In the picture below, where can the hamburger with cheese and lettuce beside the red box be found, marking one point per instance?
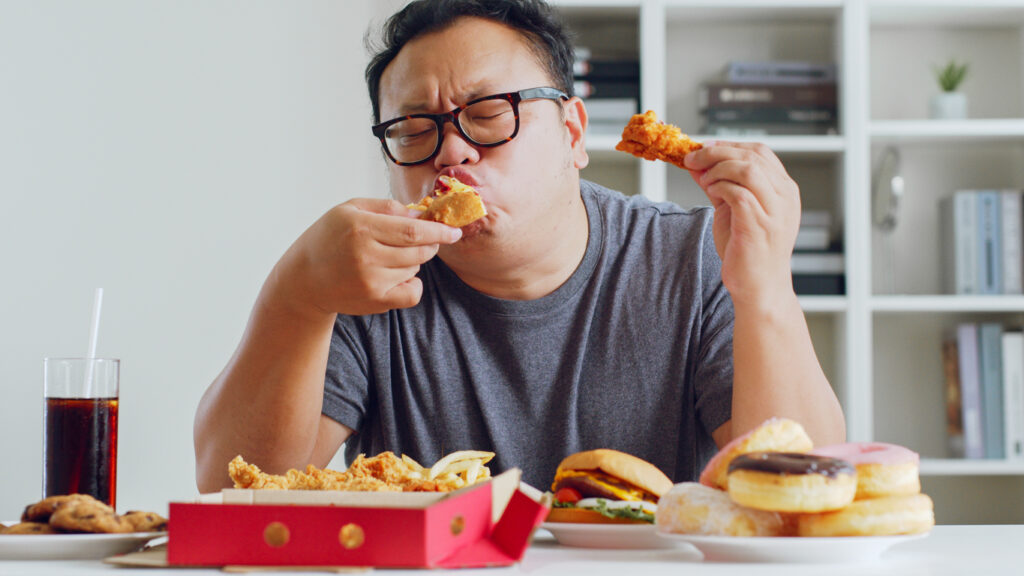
(607, 487)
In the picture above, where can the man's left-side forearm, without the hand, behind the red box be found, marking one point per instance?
(266, 404)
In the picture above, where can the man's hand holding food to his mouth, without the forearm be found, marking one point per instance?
(361, 258)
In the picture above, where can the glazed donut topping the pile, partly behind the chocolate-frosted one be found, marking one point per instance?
(776, 435)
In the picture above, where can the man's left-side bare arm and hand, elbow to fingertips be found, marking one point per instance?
(361, 258)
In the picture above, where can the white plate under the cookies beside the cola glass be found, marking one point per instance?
(72, 547)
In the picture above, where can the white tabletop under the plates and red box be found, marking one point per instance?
(949, 550)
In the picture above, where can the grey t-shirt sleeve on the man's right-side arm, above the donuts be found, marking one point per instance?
(714, 369)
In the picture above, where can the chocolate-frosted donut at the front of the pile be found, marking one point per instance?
(791, 482)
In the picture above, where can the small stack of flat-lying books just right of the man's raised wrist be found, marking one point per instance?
(819, 265)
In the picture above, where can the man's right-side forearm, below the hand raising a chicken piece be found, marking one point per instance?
(777, 374)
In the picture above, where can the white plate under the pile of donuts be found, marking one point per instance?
(791, 550)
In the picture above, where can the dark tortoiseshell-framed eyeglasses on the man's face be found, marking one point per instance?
(488, 122)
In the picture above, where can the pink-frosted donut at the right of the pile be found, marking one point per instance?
(883, 470)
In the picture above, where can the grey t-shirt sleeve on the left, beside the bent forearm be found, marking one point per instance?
(347, 385)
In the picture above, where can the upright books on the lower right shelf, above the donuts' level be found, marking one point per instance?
(984, 365)
